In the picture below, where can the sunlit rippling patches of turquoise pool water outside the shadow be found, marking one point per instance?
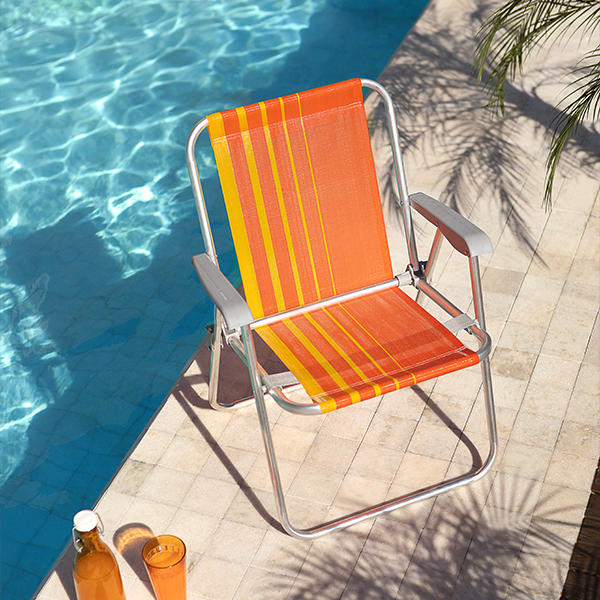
(97, 100)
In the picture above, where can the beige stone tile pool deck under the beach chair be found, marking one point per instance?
(202, 475)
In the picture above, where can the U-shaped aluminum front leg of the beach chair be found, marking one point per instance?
(372, 511)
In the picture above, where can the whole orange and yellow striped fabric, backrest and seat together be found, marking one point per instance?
(303, 203)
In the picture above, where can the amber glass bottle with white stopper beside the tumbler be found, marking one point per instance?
(95, 570)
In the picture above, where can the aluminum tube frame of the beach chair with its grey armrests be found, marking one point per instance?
(234, 324)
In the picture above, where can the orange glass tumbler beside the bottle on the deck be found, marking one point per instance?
(164, 557)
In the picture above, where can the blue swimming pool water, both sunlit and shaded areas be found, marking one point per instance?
(100, 308)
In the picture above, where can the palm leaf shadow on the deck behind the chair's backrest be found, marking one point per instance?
(441, 113)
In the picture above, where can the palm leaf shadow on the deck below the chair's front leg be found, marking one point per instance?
(462, 552)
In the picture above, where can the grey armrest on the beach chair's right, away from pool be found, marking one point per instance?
(465, 237)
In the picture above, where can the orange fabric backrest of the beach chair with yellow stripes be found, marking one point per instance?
(302, 197)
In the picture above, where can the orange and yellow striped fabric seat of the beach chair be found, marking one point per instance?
(365, 347)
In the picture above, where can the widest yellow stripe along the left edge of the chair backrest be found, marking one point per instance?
(236, 220)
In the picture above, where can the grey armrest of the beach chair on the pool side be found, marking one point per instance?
(227, 299)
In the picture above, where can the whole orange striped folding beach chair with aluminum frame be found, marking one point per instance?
(301, 193)
